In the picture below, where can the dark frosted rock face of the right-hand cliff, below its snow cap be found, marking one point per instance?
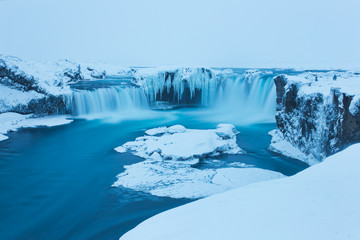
(318, 125)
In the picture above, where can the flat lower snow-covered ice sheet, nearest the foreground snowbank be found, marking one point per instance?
(178, 179)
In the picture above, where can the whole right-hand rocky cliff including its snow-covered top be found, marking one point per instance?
(319, 113)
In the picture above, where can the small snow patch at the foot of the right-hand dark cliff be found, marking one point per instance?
(282, 146)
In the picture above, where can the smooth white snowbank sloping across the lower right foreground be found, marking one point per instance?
(321, 202)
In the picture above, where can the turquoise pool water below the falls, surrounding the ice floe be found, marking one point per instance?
(55, 183)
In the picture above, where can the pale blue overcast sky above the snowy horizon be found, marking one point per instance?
(324, 33)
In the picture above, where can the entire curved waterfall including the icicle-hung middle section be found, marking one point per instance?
(249, 96)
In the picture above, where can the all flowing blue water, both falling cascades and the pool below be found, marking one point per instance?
(56, 182)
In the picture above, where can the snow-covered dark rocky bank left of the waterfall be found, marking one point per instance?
(40, 87)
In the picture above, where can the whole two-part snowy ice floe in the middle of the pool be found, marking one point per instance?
(173, 156)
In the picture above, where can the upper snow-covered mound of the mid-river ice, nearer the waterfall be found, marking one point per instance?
(176, 142)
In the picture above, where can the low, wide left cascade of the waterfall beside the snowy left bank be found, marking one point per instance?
(105, 100)
